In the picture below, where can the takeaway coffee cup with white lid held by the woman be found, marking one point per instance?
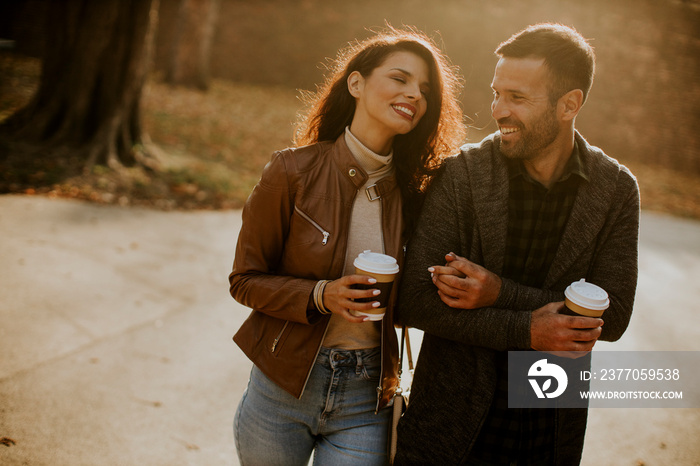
(384, 269)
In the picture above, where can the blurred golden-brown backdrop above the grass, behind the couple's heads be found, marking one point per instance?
(644, 103)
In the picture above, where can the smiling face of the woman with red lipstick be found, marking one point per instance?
(390, 101)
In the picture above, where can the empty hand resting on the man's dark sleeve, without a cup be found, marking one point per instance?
(463, 284)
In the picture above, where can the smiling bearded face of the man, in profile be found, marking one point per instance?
(526, 119)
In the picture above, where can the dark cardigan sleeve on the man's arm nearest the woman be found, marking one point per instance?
(447, 224)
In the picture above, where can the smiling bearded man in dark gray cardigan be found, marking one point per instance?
(515, 219)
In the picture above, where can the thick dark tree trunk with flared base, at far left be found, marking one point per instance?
(93, 70)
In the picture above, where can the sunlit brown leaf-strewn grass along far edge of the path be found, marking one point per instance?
(213, 146)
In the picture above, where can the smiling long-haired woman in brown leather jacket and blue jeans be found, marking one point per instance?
(373, 136)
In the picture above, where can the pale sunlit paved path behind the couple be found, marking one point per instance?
(116, 324)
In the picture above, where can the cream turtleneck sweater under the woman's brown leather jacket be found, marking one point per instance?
(365, 233)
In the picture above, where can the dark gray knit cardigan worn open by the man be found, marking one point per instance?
(466, 212)
